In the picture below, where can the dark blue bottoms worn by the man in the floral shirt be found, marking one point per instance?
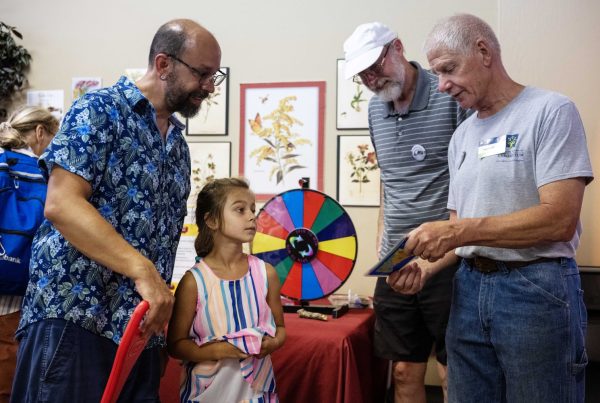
(59, 361)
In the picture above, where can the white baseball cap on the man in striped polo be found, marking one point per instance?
(364, 46)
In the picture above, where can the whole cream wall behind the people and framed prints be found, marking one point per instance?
(550, 43)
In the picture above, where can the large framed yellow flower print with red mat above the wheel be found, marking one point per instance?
(281, 135)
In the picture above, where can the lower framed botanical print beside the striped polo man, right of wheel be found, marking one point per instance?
(358, 176)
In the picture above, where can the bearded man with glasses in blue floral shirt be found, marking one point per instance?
(119, 173)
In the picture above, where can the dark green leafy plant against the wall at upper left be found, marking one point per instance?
(14, 64)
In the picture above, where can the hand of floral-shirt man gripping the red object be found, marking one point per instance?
(153, 289)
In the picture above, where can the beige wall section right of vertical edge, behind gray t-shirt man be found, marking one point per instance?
(554, 44)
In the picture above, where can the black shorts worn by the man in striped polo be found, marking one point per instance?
(407, 326)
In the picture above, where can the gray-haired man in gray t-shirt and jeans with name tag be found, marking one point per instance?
(518, 170)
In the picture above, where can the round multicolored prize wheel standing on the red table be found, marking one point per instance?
(310, 240)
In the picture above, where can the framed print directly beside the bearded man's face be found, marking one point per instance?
(213, 117)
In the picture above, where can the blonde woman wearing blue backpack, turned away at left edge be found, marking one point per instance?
(27, 132)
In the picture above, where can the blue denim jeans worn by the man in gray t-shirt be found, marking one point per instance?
(517, 335)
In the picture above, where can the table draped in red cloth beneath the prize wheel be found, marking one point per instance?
(322, 362)
